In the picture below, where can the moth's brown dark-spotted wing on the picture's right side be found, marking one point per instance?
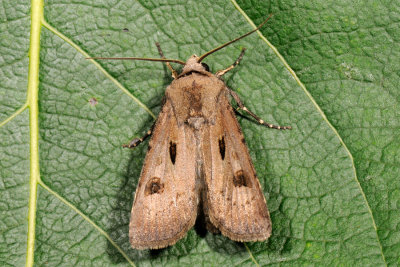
(234, 201)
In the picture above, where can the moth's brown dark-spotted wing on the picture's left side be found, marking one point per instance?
(166, 200)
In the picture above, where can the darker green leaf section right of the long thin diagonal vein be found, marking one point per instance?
(347, 55)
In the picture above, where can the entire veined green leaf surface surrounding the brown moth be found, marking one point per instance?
(330, 183)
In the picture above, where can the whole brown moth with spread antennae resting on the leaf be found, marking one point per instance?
(197, 158)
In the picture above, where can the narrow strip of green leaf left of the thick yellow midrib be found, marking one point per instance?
(14, 132)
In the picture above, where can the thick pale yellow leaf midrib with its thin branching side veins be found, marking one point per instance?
(37, 21)
